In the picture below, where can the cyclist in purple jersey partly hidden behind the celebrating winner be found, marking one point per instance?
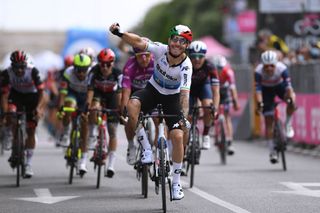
(136, 73)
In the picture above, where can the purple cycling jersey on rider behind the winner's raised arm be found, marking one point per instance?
(134, 76)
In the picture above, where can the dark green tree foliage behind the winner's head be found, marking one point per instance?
(204, 17)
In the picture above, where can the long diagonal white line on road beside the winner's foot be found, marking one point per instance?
(214, 199)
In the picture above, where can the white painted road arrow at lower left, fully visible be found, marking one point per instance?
(45, 196)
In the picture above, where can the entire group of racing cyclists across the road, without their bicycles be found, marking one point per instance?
(175, 74)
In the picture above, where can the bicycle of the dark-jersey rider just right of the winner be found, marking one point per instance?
(193, 152)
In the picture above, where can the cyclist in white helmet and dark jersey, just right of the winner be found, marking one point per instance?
(204, 86)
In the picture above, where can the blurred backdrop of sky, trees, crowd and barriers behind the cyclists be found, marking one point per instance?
(238, 29)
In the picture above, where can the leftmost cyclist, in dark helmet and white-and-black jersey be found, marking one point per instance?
(22, 87)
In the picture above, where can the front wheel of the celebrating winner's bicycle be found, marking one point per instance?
(162, 168)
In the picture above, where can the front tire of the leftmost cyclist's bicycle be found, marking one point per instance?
(20, 156)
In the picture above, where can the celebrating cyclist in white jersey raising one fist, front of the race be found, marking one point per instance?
(169, 86)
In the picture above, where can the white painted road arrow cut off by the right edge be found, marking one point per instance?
(301, 189)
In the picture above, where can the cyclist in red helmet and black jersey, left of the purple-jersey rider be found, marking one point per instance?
(104, 90)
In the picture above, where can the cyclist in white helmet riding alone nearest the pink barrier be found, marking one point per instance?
(272, 79)
